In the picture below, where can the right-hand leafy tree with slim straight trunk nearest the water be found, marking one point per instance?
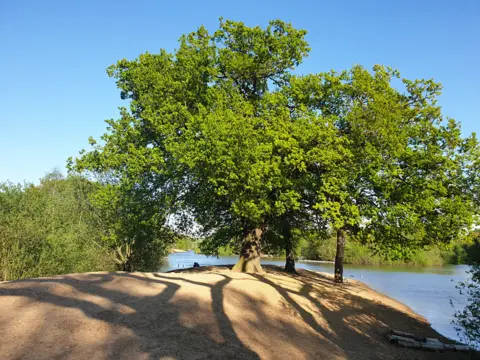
(405, 176)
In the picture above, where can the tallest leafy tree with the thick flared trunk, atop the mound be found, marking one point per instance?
(212, 120)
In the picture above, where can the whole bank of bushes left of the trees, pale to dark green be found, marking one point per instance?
(58, 227)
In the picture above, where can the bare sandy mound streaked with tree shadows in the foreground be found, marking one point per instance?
(205, 313)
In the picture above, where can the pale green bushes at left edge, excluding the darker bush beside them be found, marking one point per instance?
(49, 229)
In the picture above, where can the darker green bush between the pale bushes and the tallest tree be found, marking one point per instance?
(133, 225)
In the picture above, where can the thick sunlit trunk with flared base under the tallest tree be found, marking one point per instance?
(249, 260)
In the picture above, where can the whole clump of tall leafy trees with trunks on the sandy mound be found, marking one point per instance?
(224, 130)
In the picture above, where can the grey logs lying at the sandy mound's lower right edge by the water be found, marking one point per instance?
(417, 342)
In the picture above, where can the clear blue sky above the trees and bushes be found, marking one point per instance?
(55, 93)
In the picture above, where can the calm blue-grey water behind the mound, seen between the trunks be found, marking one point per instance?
(427, 291)
